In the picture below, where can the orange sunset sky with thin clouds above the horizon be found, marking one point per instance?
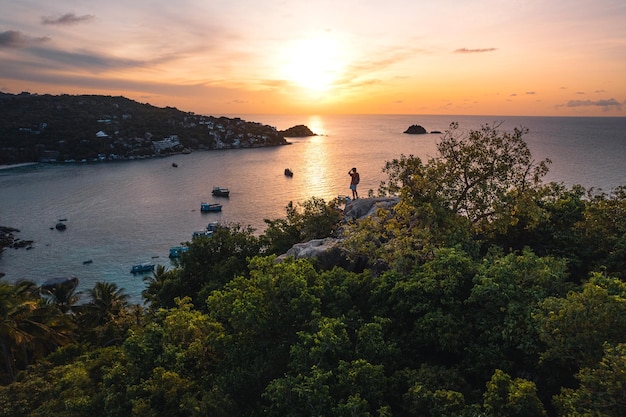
(238, 57)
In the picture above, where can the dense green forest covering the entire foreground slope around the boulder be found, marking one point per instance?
(483, 292)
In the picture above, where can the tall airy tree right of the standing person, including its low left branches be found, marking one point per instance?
(479, 175)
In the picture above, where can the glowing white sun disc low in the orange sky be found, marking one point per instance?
(315, 64)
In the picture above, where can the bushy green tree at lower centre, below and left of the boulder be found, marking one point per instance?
(261, 315)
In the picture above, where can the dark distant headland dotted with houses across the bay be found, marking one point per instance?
(91, 128)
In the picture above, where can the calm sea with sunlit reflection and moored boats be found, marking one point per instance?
(119, 214)
